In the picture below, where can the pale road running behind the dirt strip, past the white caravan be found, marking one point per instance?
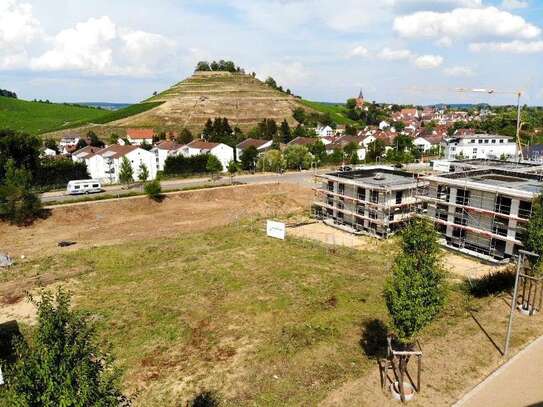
(304, 178)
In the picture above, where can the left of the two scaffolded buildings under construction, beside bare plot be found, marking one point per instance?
(373, 200)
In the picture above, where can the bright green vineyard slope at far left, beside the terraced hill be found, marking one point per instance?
(36, 117)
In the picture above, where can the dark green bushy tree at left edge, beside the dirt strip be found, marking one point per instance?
(18, 203)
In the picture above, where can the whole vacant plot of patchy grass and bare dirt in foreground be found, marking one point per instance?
(193, 296)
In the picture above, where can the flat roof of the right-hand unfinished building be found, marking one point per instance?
(496, 180)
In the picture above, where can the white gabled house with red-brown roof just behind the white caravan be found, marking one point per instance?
(105, 164)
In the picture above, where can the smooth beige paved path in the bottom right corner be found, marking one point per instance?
(517, 383)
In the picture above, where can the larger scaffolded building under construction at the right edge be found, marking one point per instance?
(482, 212)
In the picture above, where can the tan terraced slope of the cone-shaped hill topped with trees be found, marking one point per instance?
(244, 100)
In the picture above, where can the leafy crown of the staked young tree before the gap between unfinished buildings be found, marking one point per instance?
(415, 292)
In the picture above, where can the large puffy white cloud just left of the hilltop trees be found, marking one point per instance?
(98, 46)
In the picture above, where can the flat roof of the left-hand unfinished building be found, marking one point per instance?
(377, 177)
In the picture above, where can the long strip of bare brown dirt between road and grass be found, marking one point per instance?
(105, 223)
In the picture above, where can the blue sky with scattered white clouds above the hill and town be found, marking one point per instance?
(397, 51)
